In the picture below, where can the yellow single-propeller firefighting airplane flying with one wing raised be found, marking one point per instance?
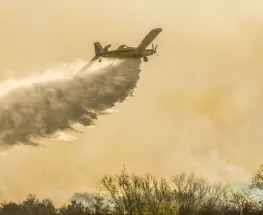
(124, 51)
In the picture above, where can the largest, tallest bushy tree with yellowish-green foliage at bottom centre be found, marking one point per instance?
(134, 194)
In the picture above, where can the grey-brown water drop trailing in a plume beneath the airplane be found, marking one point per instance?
(63, 97)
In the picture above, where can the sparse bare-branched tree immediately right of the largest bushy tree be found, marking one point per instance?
(194, 195)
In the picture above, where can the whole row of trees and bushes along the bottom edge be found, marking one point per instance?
(131, 194)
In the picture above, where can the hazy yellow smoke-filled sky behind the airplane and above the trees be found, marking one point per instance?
(198, 106)
